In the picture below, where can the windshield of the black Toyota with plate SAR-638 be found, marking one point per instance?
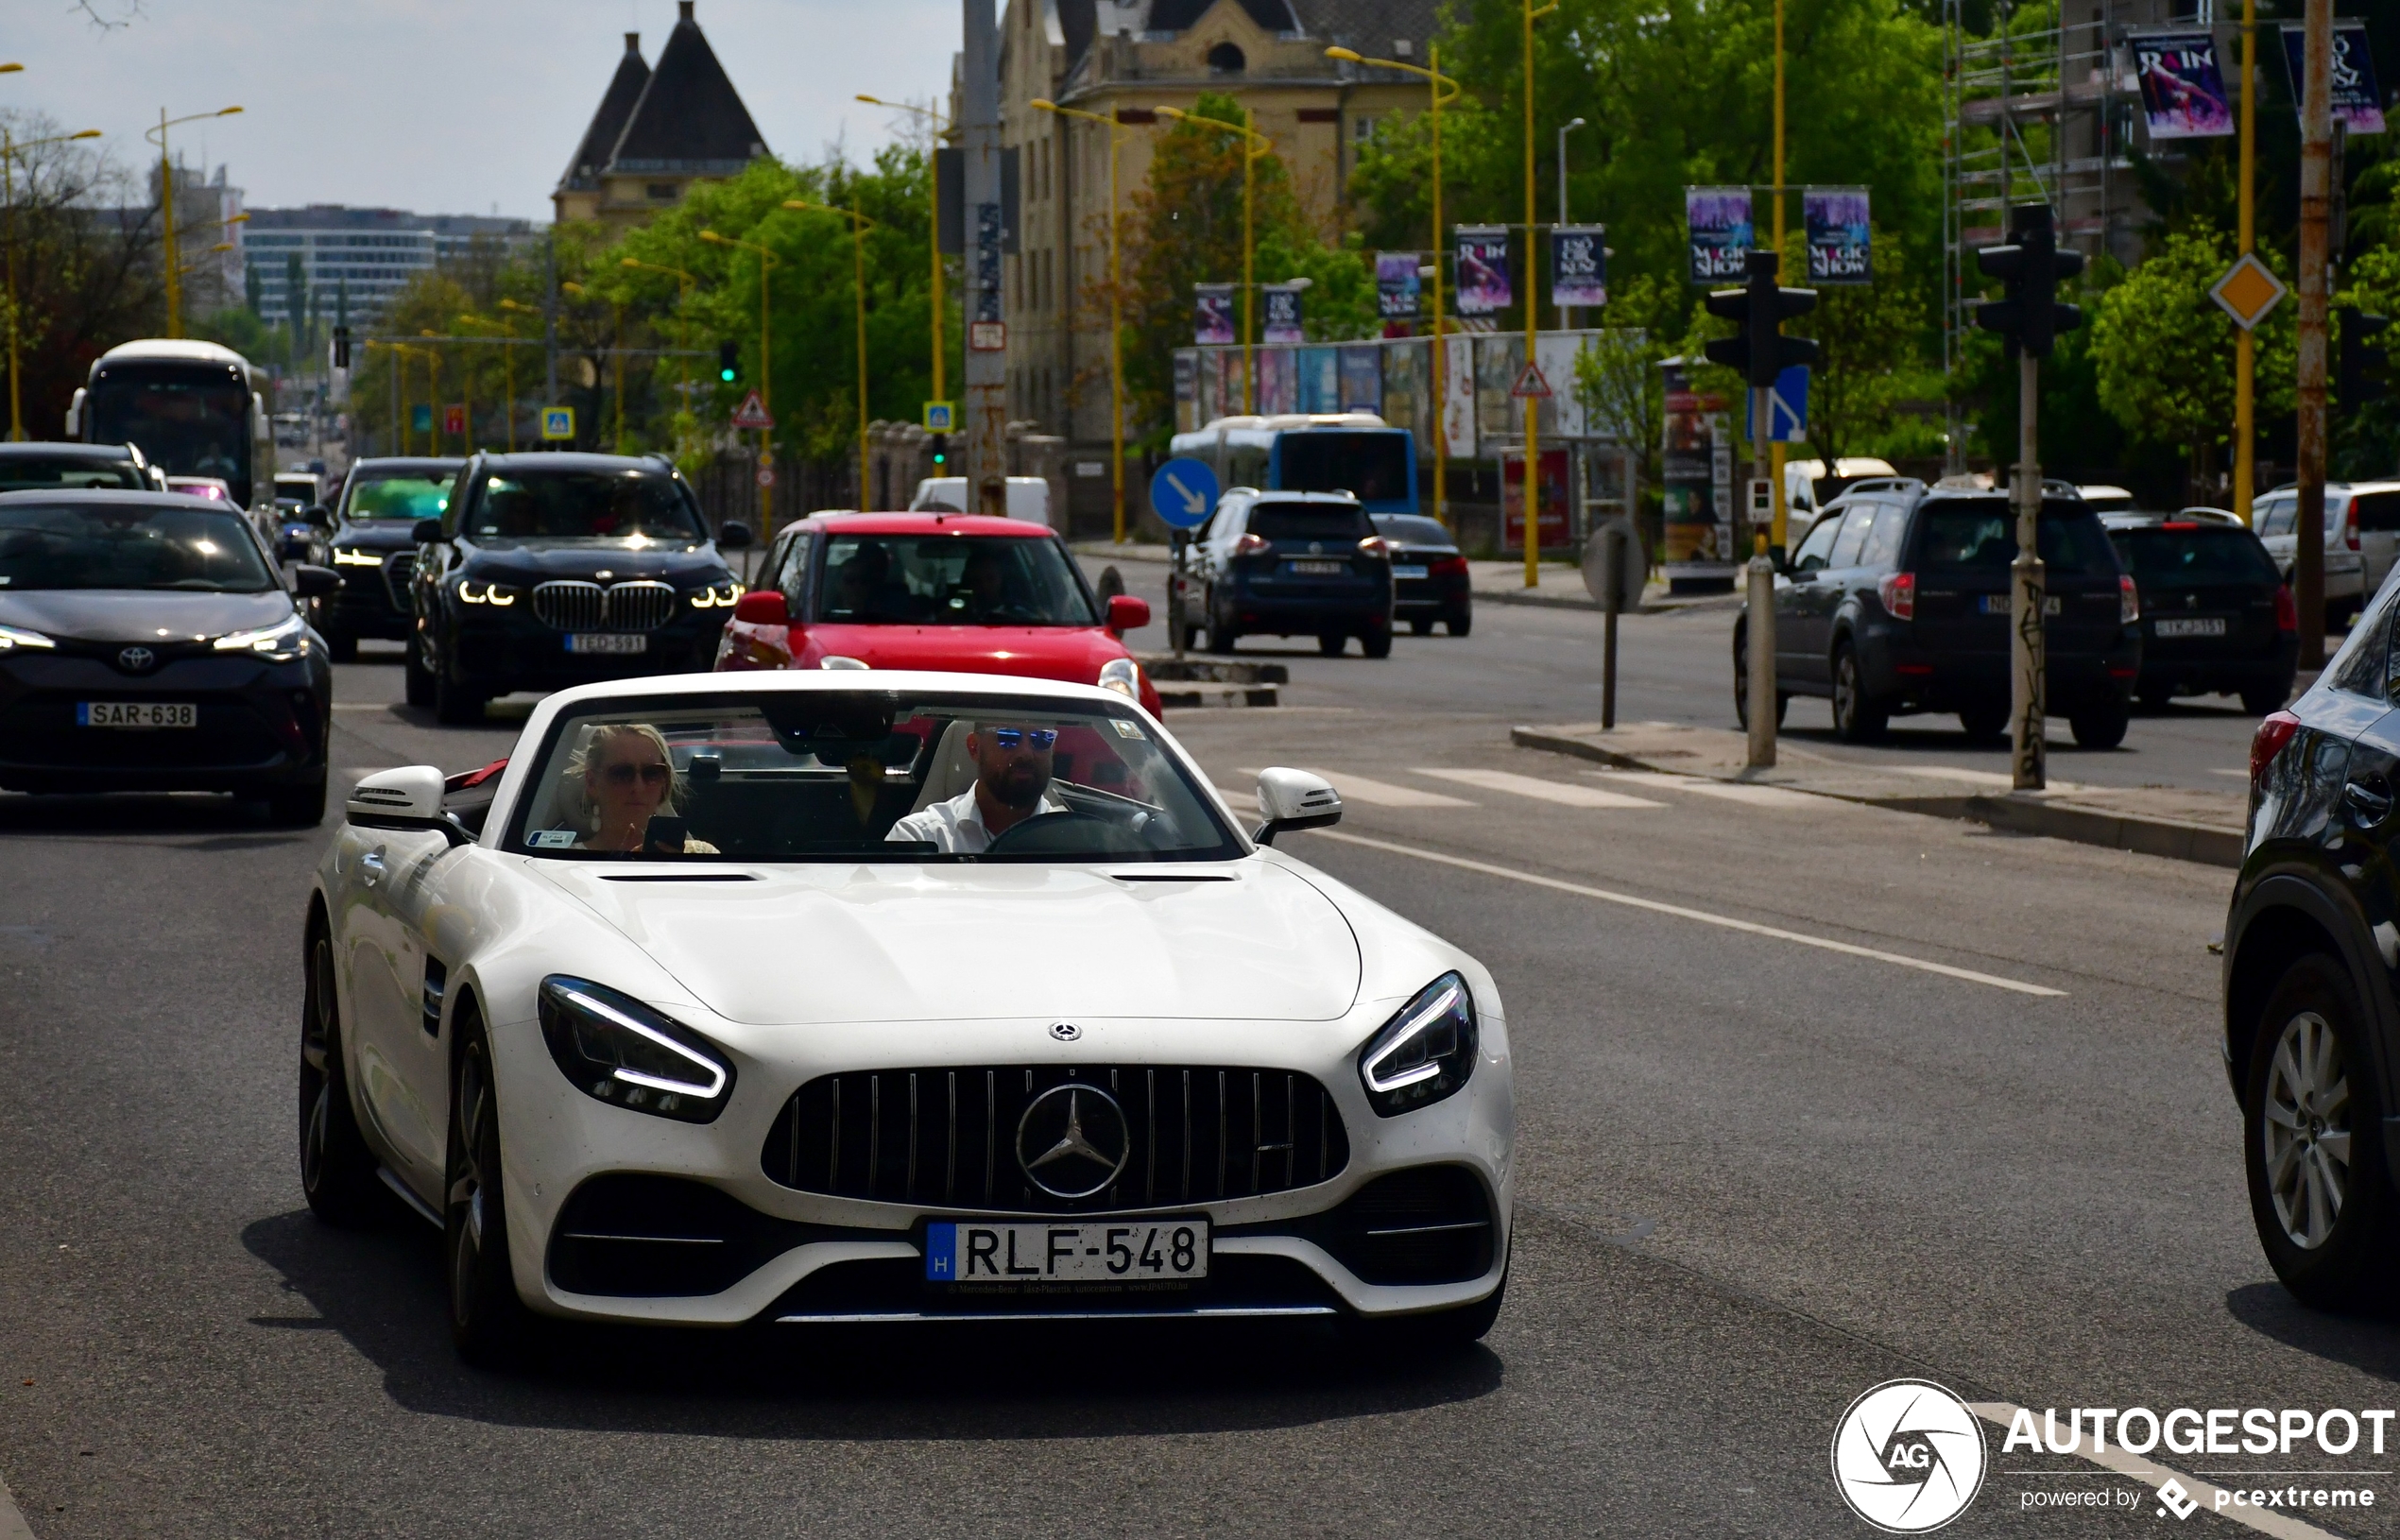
(128, 546)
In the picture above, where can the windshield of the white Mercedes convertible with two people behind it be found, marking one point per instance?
(865, 776)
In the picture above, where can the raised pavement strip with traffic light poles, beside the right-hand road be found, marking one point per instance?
(2159, 822)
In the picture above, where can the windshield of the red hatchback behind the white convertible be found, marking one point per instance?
(952, 582)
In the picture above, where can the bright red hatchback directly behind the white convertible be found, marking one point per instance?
(932, 591)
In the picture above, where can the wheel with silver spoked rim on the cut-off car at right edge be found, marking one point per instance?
(2312, 1143)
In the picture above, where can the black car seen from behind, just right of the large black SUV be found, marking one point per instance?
(2216, 618)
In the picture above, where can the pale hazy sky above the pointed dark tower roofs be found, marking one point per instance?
(448, 107)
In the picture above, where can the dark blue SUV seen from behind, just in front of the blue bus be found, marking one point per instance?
(1288, 565)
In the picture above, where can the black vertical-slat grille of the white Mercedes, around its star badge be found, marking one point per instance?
(949, 1136)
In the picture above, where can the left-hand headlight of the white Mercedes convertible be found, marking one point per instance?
(618, 1049)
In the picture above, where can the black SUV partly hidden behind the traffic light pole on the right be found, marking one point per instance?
(1900, 603)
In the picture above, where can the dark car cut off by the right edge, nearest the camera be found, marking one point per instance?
(2312, 1023)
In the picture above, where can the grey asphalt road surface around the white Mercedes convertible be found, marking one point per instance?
(1792, 1126)
